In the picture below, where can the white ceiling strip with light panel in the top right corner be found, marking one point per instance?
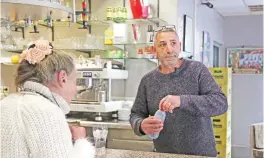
(237, 7)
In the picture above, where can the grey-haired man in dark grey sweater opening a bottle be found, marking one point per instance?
(187, 92)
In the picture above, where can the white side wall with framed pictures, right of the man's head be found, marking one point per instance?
(205, 19)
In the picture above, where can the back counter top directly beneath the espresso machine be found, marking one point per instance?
(110, 124)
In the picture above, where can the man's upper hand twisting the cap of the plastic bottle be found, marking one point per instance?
(169, 103)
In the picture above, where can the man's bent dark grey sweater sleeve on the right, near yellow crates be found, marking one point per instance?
(210, 102)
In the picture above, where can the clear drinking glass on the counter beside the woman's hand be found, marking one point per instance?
(100, 135)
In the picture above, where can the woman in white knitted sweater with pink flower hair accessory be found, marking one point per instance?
(33, 122)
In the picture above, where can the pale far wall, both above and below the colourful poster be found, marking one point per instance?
(247, 90)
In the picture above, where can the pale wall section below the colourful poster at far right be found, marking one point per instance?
(247, 109)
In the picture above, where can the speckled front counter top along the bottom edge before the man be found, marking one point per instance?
(117, 153)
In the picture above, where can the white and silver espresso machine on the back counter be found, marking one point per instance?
(94, 91)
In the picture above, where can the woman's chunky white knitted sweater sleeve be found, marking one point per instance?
(48, 135)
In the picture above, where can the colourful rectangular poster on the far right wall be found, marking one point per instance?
(245, 60)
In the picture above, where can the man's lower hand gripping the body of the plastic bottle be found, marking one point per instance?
(151, 125)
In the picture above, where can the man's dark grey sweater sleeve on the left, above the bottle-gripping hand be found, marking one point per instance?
(139, 110)
